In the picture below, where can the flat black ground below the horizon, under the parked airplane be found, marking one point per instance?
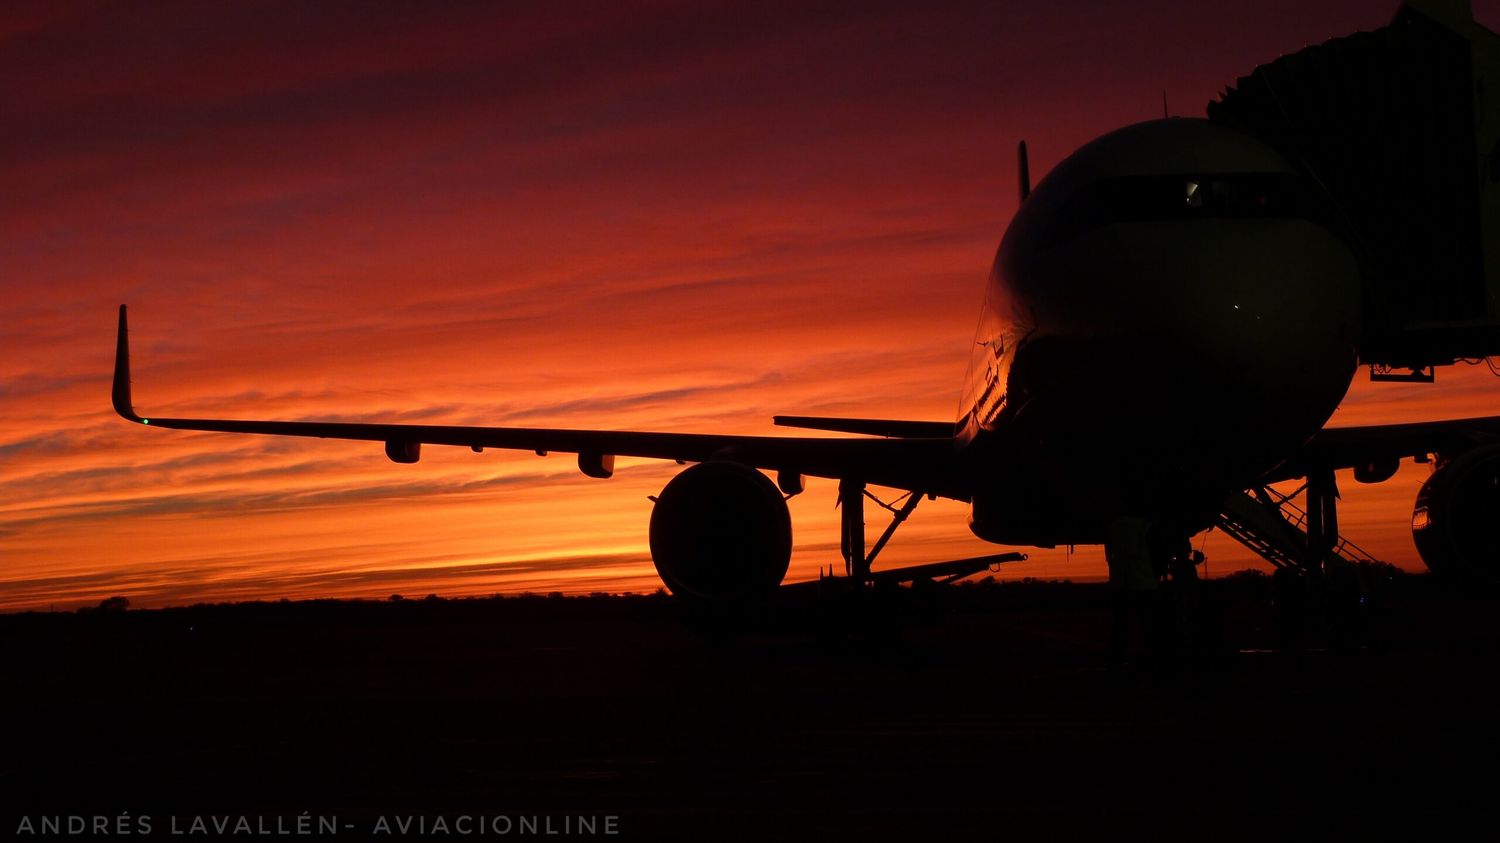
(991, 715)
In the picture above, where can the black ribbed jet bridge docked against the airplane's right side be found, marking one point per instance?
(1402, 127)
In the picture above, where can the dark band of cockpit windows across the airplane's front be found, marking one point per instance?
(1138, 199)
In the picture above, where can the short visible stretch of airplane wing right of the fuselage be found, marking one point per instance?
(1351, 448)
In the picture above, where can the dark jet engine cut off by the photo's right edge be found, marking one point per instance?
(1457, 518)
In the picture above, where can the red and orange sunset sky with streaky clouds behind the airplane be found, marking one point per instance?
(592, 215)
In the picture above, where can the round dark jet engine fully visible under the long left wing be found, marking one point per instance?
(721, 532)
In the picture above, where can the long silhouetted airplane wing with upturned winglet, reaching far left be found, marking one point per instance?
(925, 466)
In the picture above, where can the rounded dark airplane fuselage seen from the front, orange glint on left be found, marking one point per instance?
(1172, 313)
